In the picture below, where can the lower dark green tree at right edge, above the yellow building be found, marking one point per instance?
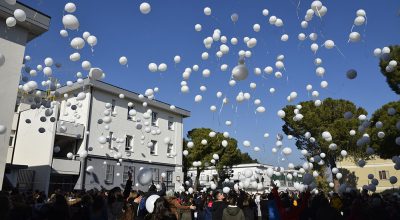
(386, 146)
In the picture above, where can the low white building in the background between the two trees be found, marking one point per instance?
(259, 175)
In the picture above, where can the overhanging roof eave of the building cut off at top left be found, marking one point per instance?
(36, 22)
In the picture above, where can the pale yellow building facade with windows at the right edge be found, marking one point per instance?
(380, 168)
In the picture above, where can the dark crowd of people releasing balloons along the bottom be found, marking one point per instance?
(127, 204)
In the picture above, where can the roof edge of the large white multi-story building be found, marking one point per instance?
(128, 95)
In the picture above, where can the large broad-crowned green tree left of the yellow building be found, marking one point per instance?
(327, 117)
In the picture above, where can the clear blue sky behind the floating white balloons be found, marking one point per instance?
(168, 30)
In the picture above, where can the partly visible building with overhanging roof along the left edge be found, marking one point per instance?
(12, 49)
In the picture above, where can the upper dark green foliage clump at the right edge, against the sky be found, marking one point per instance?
(393, 75)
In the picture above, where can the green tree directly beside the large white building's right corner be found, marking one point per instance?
(228, 156)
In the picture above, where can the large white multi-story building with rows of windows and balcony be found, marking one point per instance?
(93, 137)
